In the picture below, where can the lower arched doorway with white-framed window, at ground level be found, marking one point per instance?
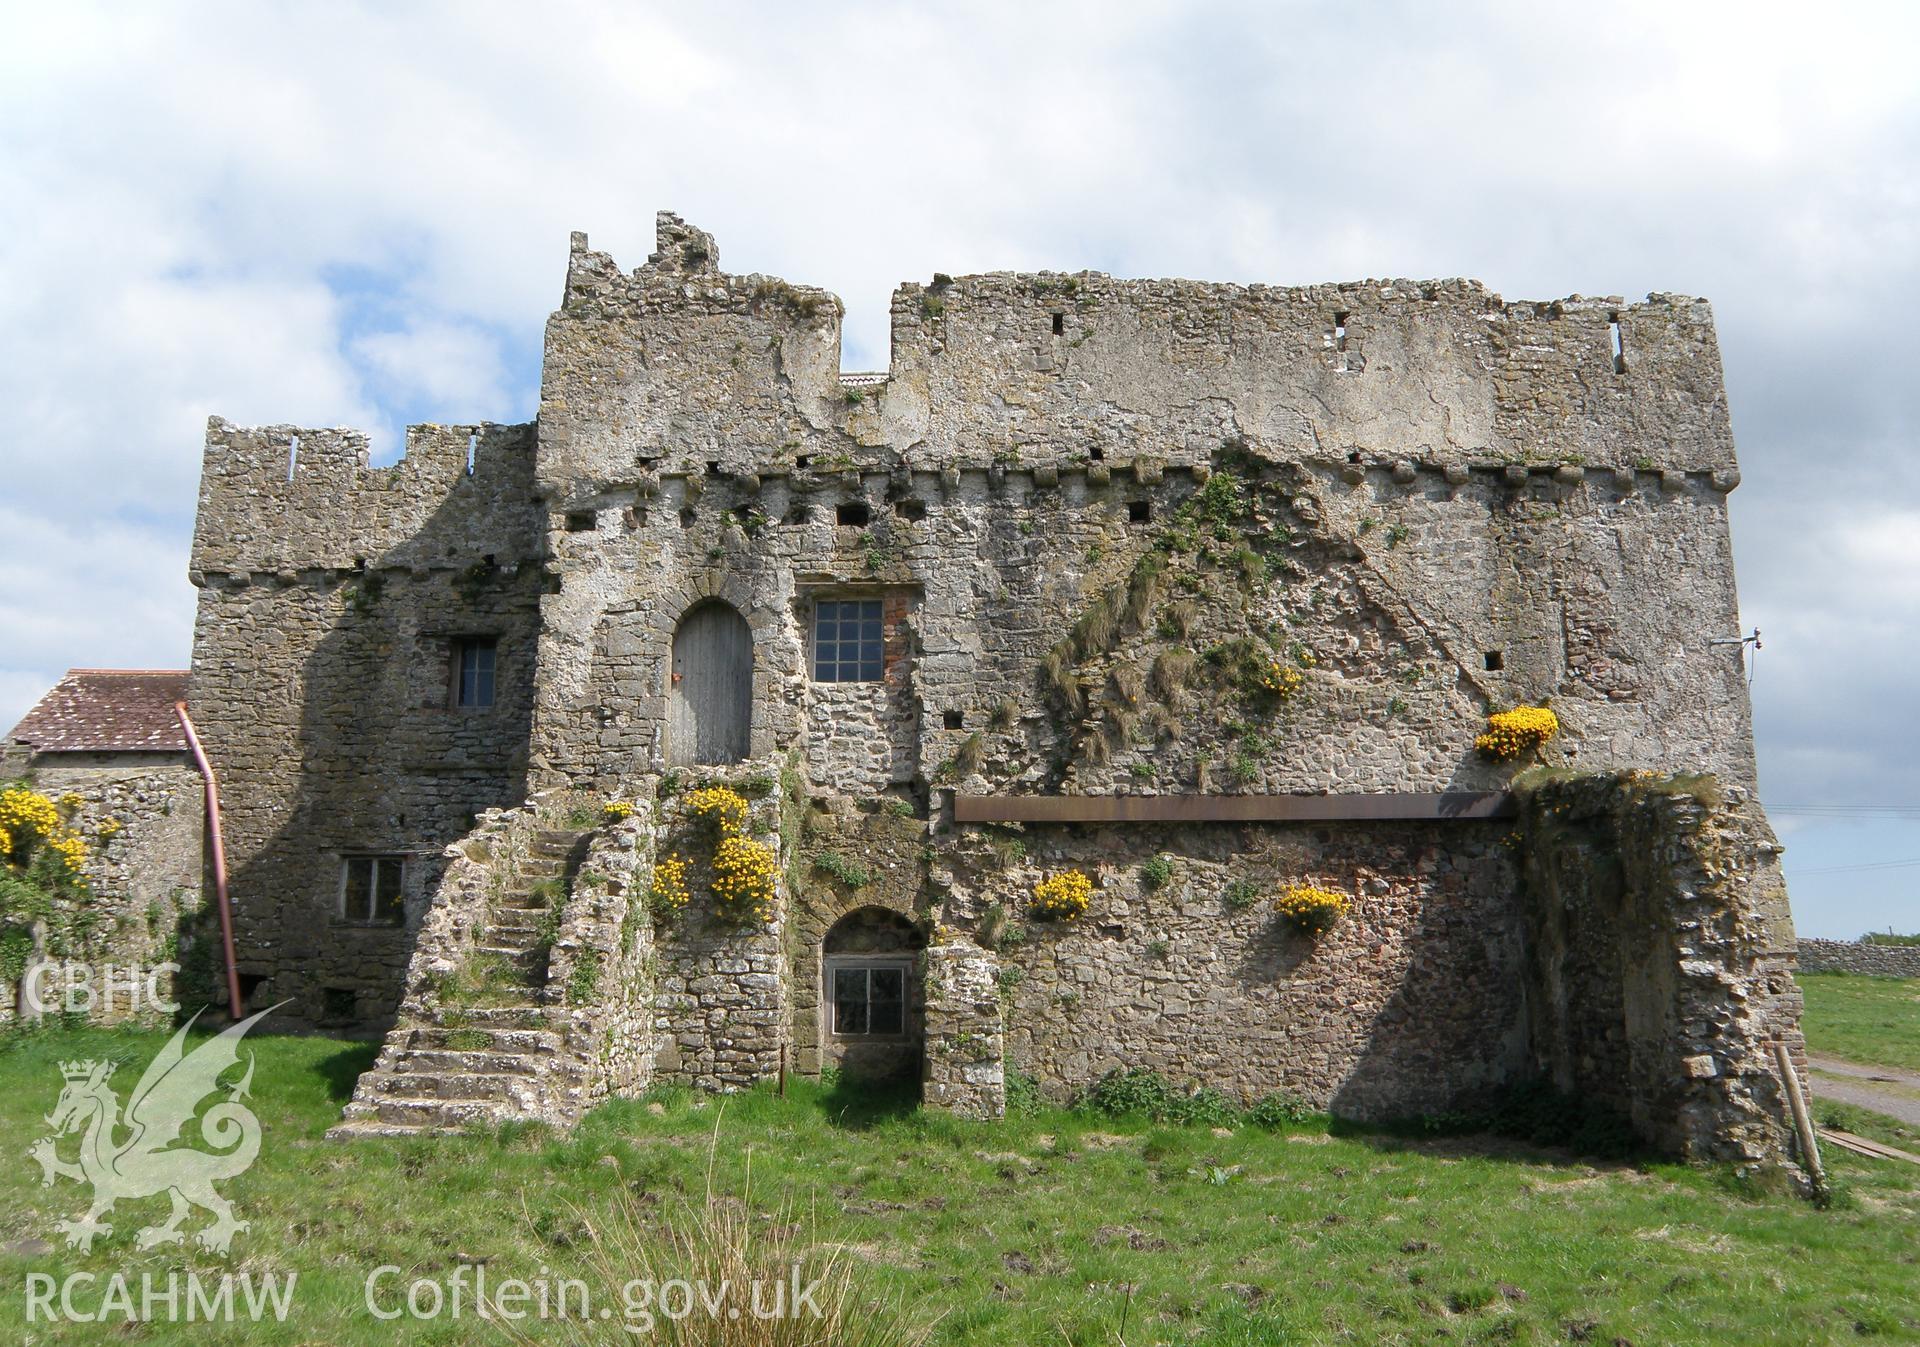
(873, 1012)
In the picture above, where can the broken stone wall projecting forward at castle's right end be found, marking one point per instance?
(1662, 958)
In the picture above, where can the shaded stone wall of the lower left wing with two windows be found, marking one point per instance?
(331, 602)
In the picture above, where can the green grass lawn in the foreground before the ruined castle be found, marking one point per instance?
(1051, 1229)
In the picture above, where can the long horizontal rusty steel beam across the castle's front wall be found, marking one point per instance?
(1230, 809)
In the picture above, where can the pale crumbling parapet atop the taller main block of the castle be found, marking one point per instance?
(684, 367)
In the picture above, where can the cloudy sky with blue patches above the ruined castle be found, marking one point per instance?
(358, 214)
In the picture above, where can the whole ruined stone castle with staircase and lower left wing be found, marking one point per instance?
(1195, 590)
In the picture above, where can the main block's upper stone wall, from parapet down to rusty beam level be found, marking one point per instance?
(1451, 504)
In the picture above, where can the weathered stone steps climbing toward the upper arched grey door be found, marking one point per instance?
(489, 1062)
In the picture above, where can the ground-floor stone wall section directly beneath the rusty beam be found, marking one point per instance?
(1412, 1004)
